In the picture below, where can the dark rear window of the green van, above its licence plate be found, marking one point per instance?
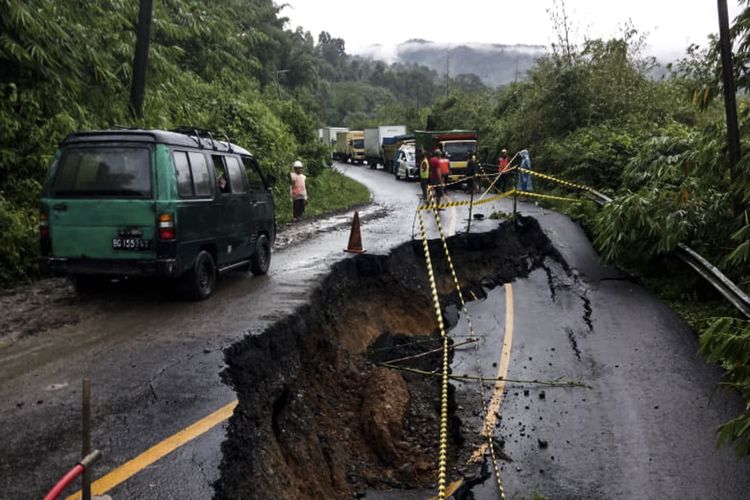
(108, 172)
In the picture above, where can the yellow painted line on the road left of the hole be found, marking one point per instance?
(158, 451)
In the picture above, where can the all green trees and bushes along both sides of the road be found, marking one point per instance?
(592, 113)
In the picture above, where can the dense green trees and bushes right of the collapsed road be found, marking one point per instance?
(592, 114)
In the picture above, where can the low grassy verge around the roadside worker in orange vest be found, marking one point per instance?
(330, 191)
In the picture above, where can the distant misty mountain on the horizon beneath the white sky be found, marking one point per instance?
(495, 64)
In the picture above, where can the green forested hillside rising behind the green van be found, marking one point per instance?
(229, 66)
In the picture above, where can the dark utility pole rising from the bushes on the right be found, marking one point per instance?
(730, 99)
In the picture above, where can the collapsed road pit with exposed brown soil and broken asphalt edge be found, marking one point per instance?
(318, 416)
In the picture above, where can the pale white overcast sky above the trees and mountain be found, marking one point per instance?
(671, 25)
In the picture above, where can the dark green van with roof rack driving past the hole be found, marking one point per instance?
(177, 204)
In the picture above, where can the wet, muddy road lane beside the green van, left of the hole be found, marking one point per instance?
(154, 362)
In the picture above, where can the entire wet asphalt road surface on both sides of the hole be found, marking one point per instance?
(645, 429)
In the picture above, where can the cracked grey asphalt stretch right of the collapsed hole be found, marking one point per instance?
(646, 426)
